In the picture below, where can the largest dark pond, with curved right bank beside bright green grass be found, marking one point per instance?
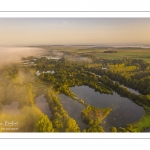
(124, 111)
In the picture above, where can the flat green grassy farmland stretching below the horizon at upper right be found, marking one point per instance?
(135, 53)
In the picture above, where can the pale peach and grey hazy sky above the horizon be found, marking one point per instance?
(40, 31)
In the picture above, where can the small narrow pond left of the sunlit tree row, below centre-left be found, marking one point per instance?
(42, 104)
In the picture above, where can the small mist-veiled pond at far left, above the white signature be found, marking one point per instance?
(11, 109)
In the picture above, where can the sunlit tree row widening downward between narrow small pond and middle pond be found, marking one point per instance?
(61, 121)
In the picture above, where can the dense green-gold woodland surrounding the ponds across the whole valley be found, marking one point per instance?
(57, 76)
